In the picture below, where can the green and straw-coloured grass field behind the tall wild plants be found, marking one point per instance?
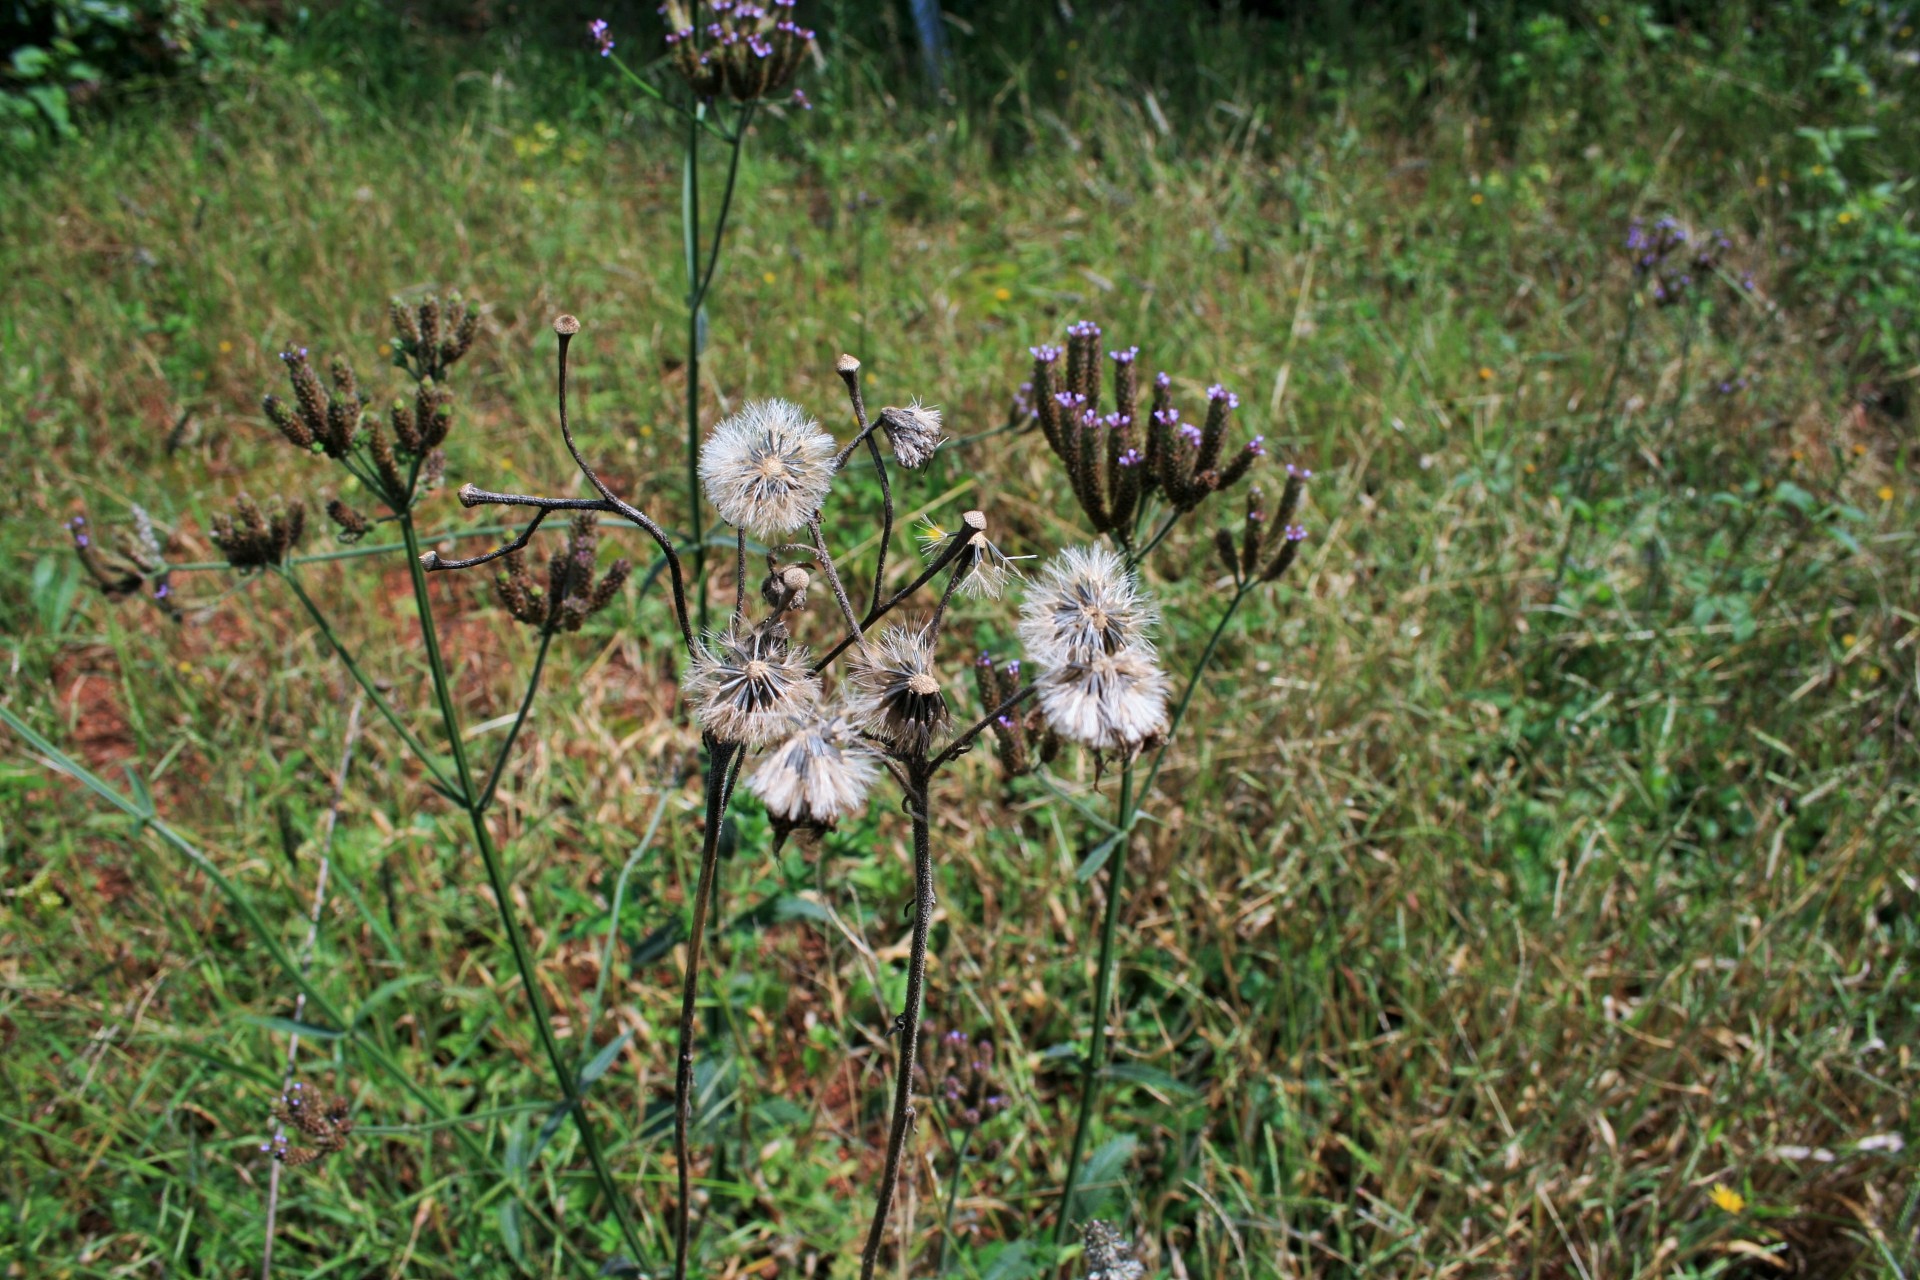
(1487, 918)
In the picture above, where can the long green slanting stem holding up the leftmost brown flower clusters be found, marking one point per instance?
(475, 805)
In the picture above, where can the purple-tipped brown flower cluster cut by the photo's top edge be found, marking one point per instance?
(731, 49)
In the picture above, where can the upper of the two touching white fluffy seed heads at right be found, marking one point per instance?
(1088, 604)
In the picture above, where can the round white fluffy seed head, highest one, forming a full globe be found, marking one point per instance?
(767, 469)
